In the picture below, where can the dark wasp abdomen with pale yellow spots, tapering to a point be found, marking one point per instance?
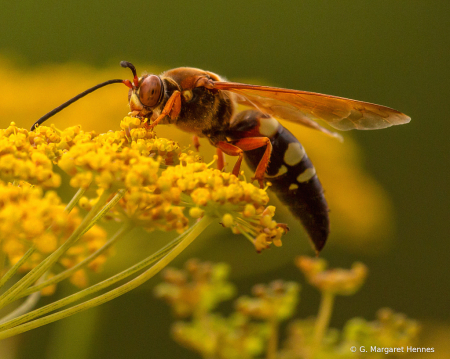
(290, 171)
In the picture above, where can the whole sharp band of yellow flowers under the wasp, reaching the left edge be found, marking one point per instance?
(134, 159)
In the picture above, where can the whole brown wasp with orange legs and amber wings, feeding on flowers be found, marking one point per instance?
(206, 105)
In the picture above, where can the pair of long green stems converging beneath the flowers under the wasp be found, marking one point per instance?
(179, 245)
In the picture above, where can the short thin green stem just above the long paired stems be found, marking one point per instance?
(127, 226)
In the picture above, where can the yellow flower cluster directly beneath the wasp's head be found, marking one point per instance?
(120, 159)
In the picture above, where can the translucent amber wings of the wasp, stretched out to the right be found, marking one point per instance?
(304, 107)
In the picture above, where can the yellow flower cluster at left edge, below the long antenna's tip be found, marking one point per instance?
(26, 156)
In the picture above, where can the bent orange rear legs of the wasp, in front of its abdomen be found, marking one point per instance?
(247, 144)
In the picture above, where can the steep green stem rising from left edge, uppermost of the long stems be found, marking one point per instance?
(12, 293)
